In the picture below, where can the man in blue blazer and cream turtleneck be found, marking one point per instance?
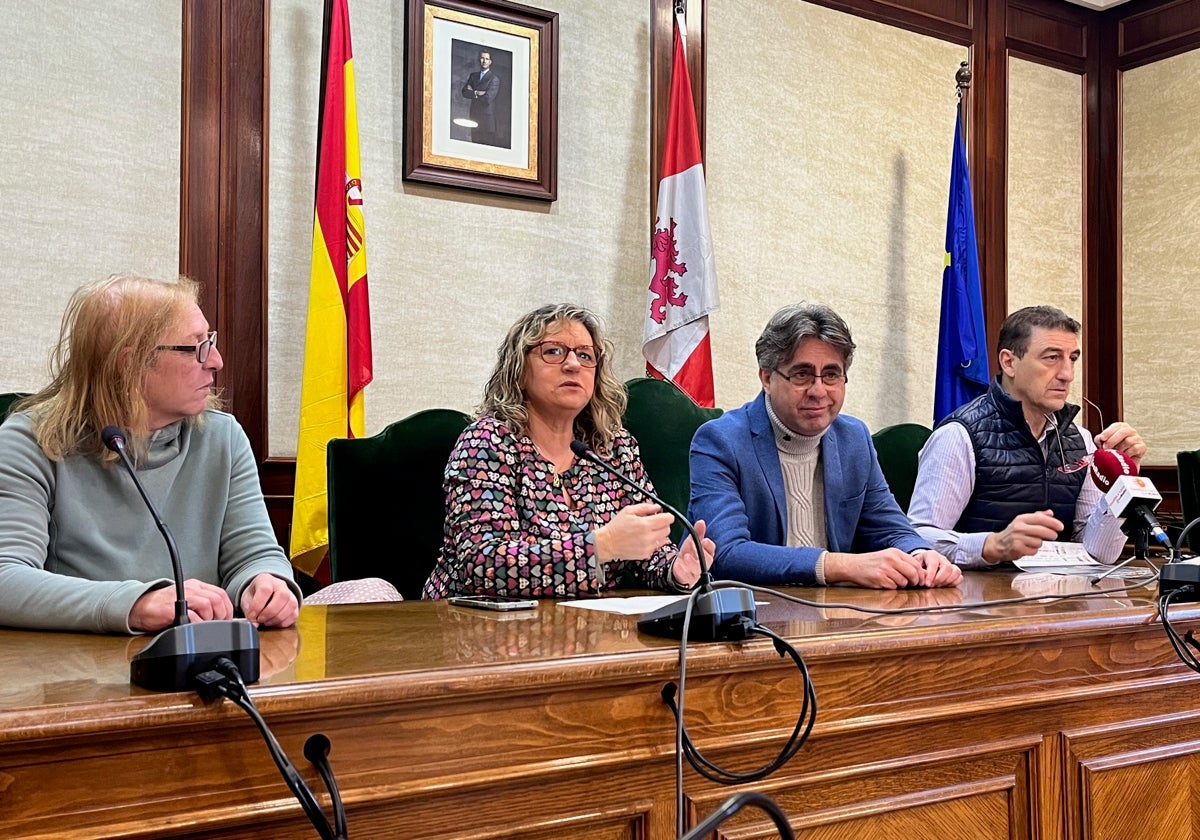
(791, 490)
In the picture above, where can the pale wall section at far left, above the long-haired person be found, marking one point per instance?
(89, 161)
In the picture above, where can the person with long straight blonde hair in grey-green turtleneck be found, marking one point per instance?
(79, 549)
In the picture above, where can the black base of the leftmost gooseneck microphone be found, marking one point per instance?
(173, 658)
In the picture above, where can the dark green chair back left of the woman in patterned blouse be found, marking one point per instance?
(387, 509)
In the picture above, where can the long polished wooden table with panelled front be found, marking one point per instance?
(1053, 719)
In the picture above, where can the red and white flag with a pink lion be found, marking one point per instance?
(683, 274)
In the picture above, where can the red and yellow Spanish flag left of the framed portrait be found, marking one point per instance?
(338, 338)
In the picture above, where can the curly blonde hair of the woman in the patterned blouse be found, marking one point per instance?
(505, 399)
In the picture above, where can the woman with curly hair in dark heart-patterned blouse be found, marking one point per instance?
(524, 517)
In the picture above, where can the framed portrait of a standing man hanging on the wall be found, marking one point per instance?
(482, 97)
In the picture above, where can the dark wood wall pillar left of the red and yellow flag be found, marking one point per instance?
(224, 191)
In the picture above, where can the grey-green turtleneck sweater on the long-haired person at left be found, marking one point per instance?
(79, 547)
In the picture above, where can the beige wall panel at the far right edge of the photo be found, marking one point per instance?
(1161, 253)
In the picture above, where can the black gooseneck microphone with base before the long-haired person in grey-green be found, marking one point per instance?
(173, 659)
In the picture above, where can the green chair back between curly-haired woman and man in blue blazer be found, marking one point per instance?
(664, 419)
